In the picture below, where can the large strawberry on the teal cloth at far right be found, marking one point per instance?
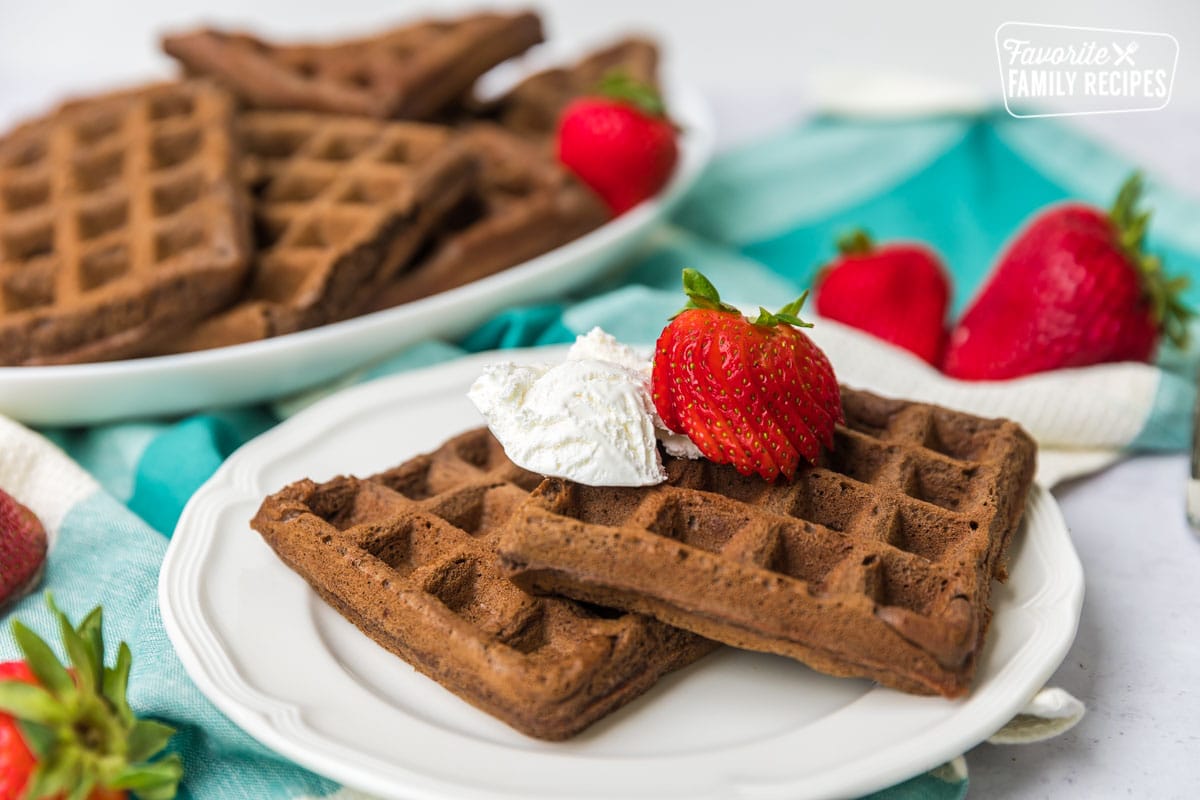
(1073, 290)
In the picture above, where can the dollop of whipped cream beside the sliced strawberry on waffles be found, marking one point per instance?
(590, 419)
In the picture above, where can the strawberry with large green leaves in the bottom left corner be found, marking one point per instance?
(71, 732)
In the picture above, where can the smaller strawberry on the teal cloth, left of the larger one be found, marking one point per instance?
(896, 292)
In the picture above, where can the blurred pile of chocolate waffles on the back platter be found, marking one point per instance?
(284, 188)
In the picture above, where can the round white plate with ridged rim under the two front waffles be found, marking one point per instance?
(296, 676)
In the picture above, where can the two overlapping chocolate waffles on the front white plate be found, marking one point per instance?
(878, 563)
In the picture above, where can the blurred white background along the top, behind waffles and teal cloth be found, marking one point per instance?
(760, 63)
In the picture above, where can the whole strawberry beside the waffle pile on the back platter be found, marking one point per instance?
(621, 143)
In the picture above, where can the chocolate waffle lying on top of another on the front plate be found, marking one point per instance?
(877, 563)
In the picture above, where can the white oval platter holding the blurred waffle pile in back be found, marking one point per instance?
(247, 374)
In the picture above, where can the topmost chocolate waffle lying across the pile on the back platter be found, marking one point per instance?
(411, 73)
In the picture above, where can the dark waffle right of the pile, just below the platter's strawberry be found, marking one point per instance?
(524, 206)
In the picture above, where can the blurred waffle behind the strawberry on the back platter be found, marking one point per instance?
(532, 107)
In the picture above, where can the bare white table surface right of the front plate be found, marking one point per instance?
(1136, 658)
